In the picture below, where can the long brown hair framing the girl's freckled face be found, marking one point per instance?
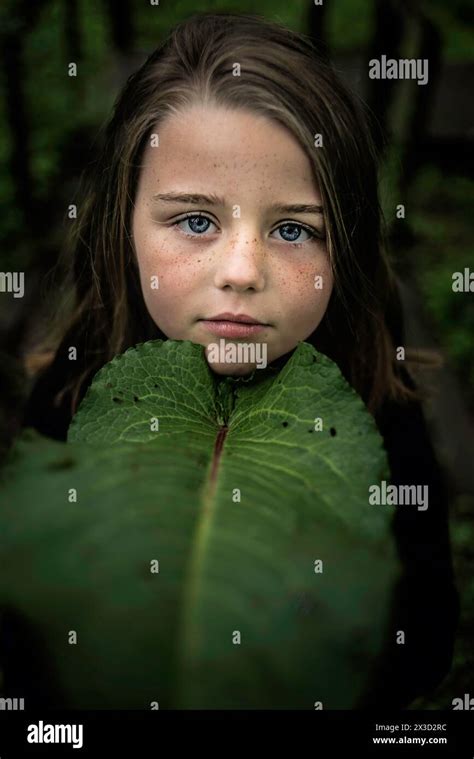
(284, 77)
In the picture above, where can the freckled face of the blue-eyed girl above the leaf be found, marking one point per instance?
(229, 244)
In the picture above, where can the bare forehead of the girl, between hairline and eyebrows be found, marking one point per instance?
(229, 148)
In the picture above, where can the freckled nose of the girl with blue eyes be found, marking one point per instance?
(241, 263)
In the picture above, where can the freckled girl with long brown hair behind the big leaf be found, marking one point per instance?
(238, 176)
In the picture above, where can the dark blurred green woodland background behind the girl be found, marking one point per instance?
(49, 130)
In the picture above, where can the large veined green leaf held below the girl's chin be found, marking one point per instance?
(237, 495)
